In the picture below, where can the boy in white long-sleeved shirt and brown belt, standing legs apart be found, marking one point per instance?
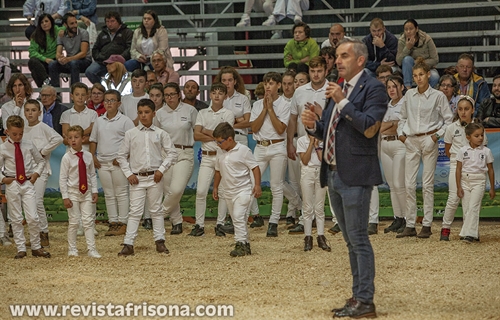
(145, 155)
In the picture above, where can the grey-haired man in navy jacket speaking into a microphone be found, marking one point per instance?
(350, 167)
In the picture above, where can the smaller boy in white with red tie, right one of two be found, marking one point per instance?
(78, 185)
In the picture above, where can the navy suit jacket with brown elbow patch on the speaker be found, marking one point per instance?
(356, 135)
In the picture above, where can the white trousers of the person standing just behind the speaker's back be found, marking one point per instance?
(392, 157)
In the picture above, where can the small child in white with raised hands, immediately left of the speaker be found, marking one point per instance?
(313, 196)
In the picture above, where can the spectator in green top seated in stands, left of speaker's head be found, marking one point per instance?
(301, 49)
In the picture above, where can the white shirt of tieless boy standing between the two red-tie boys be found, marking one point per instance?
(45, 140)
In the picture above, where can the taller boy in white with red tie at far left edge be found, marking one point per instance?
(21, 162)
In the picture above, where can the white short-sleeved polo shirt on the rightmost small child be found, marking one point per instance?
(474, 160)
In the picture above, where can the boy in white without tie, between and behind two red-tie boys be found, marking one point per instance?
(45, 140)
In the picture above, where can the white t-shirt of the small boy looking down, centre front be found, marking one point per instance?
(235, 167)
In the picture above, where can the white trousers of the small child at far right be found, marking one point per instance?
(473, 186)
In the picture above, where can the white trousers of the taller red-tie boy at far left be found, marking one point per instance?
(23, 197)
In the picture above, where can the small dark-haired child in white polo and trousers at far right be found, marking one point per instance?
(473, 161)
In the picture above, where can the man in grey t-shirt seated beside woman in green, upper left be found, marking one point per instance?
(75, 41)
